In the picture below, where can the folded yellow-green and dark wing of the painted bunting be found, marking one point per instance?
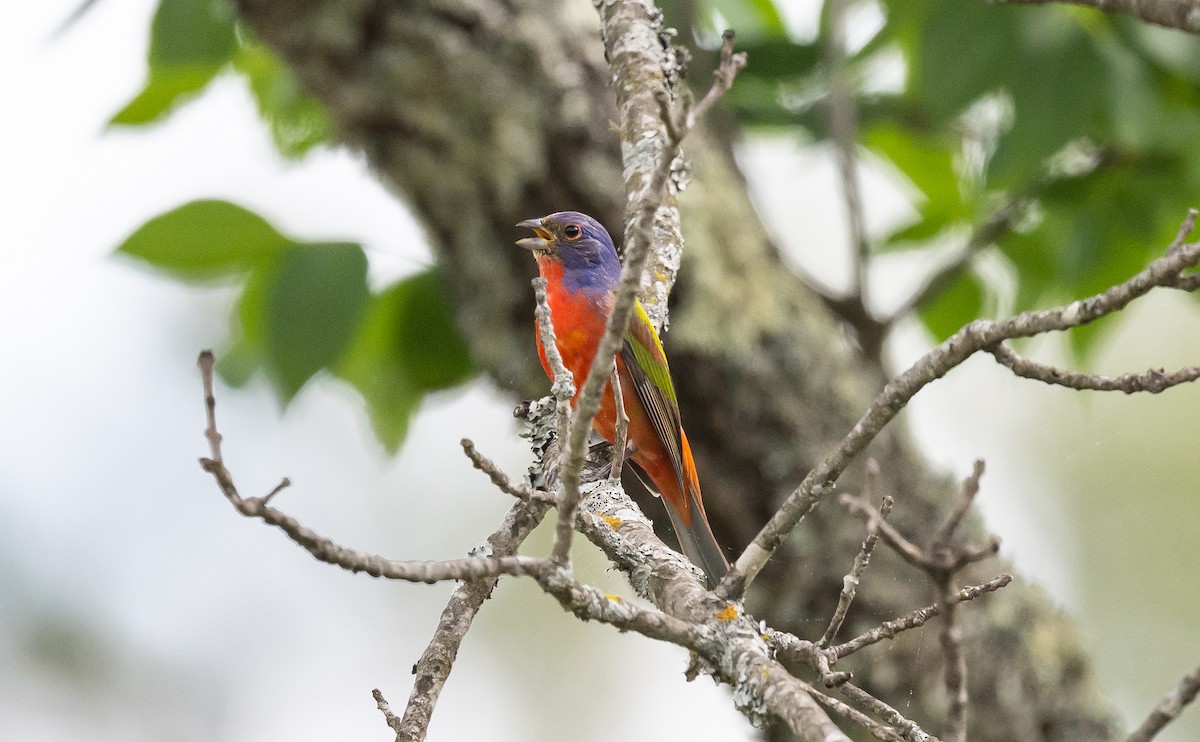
(647, 366)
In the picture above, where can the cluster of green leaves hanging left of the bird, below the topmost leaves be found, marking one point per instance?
(307, 308)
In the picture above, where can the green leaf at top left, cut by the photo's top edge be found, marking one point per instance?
(190, 43)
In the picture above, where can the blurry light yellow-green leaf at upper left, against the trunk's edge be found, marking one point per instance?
(297, 122)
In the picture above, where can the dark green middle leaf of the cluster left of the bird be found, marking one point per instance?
(314, 304)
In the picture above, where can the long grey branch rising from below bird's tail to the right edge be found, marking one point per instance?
(976, 337)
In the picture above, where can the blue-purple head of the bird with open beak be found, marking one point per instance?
(580, 246)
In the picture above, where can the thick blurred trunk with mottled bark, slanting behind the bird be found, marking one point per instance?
(482, 113)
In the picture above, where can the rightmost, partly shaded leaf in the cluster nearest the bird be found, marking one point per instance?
(409, 346)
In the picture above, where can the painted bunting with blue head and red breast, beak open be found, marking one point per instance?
(580, 265)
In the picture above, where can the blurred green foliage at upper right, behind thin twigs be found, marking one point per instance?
(1082, 117)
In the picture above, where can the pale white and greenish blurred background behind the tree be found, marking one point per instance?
(135, 605)
